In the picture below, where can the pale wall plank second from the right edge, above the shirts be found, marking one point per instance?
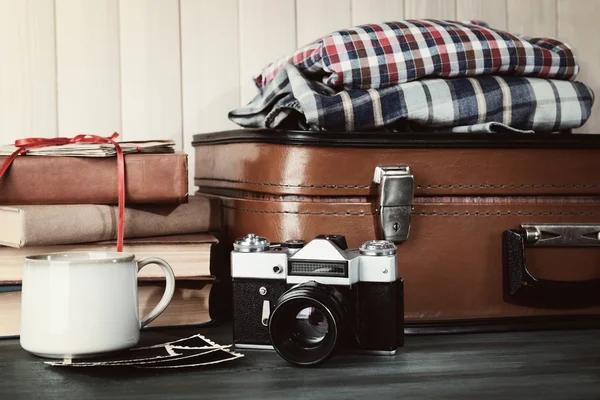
(533, 17)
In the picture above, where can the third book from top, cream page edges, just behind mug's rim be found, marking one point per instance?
(188, 256)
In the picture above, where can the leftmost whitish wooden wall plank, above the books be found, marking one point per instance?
(27, 70)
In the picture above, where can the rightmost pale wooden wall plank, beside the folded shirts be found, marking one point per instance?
(579, 27)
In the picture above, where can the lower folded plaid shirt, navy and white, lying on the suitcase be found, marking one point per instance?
(475, 104)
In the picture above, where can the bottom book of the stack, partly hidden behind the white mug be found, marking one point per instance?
(189, 306)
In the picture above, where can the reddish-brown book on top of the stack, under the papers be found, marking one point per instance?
(150, 178)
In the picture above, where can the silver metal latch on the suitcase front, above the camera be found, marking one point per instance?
(396, 192)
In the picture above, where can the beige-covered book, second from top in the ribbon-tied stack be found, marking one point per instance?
(26, 226)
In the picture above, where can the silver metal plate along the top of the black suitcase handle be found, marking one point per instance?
(562, 235)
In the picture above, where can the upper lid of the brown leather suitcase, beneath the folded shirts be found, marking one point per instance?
(343, 164)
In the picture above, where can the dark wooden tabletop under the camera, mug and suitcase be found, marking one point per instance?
(529, 365)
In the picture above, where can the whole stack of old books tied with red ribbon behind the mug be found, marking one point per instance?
(67, 201)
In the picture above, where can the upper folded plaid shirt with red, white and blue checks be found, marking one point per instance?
(376, 56)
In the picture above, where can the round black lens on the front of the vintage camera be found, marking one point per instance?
(306, 322)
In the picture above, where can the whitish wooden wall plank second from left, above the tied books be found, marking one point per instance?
(87, 55)
